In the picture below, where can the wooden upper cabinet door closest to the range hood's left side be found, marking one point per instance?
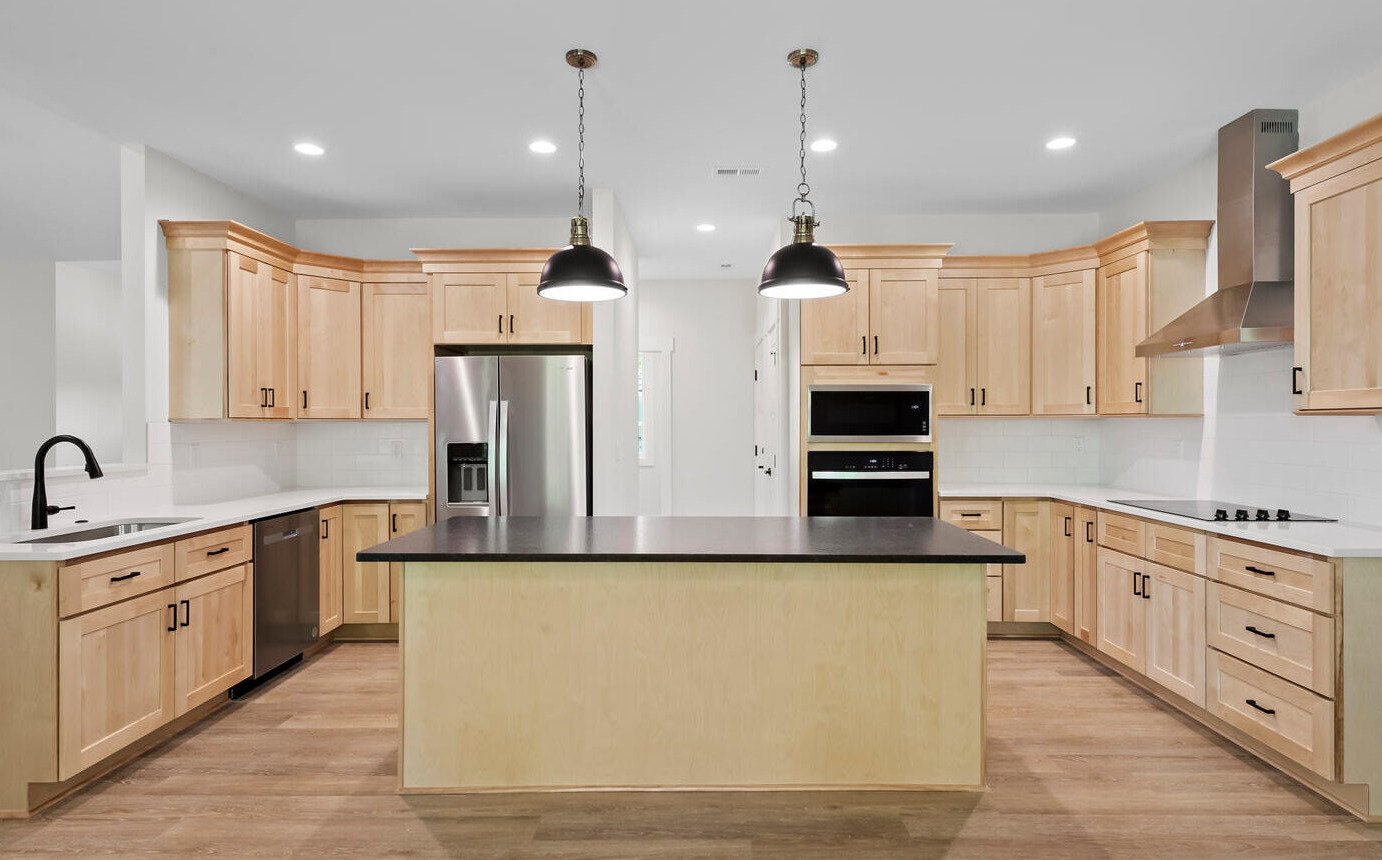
(1121, 388)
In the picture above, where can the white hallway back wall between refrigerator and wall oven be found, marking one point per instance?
(712, 391)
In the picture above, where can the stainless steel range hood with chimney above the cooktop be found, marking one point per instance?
(1254, 308)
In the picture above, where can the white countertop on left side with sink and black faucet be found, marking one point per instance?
(200, 518)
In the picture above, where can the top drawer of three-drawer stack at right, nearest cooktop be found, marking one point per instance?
(1289, 577)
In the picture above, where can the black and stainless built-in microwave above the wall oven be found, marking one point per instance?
(869, 414)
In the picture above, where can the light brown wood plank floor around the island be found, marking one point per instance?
(1081, 765)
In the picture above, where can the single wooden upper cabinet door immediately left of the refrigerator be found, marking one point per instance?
(397, 350)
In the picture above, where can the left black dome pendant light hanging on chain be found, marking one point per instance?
(581, 272)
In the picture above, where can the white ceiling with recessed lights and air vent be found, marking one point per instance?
(426, 107)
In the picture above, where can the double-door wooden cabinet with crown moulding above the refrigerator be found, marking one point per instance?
(491, 298)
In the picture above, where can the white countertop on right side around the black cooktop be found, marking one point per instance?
(1334, 540)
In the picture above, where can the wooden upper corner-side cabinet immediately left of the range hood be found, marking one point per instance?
(1149, 274)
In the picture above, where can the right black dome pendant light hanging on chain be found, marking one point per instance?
(804, 269)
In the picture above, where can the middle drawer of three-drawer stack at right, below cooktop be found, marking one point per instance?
(1283, 639)
